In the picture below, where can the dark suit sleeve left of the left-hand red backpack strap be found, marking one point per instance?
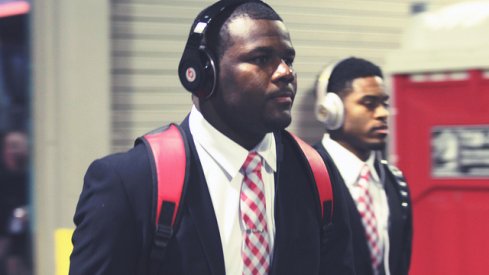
(105, 240)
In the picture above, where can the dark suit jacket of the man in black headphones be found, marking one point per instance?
(115, 221)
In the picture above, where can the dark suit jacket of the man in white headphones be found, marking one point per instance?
(400, 223)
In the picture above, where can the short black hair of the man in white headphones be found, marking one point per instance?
(349, 69)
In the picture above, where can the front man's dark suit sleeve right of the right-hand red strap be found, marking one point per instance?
(337, 248)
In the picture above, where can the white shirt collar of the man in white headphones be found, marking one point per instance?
(351, 165)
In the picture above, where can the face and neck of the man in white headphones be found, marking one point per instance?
(365, 126)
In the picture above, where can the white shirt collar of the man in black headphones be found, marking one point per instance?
(227, 153)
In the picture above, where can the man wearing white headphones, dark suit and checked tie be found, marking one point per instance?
(353, 105)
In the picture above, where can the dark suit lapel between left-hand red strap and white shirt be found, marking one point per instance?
(201, 210)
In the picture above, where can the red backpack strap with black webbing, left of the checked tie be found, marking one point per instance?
(168, 152)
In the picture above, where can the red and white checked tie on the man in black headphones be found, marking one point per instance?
(256, 248)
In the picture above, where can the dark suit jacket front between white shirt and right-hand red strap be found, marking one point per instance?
(297, 226)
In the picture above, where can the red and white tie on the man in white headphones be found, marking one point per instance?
(366, 209)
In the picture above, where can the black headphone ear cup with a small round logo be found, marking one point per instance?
(197, 72)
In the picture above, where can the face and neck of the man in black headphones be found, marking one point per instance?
(256, 85)
